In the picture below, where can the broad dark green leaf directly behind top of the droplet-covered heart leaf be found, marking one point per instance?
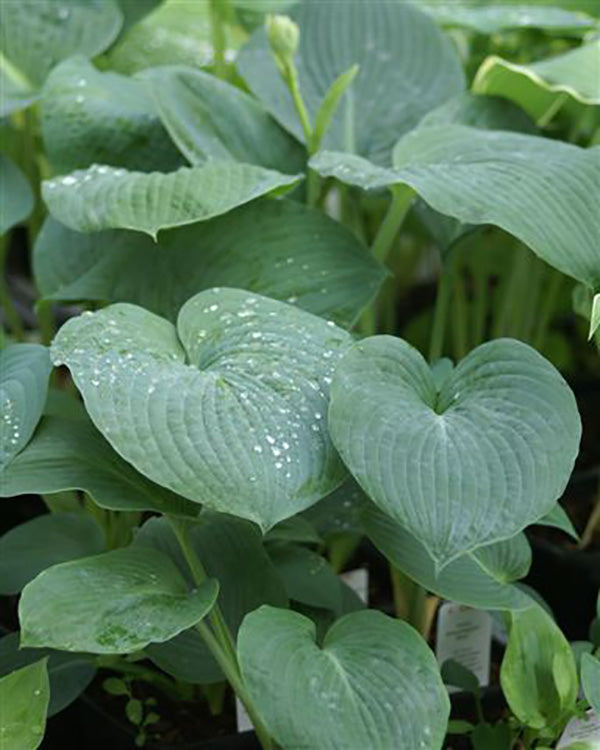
(281, 249)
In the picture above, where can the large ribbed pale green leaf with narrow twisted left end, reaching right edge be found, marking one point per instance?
(540, 190)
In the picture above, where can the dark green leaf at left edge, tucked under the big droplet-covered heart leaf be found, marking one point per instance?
(69, 454)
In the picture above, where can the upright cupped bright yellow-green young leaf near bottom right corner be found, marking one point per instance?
(538, 673)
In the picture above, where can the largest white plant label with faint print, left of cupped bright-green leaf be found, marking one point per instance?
(465, 635)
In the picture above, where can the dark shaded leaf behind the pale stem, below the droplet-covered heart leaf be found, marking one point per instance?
(231, 551)
